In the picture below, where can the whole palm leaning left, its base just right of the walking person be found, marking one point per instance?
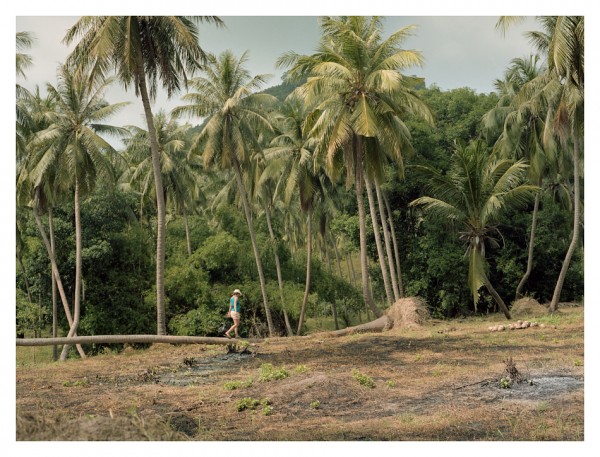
(235, 115)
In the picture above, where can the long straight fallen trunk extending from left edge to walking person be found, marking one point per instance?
(110, 339)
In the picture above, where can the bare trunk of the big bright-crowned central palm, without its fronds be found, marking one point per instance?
(358, 183)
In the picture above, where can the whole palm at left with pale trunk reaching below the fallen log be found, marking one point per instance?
(71, 150)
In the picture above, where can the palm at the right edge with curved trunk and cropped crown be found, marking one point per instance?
(562, 41)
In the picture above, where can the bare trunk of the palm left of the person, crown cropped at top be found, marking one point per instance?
(161, 227)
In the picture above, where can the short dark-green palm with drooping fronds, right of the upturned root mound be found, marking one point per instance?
(475, 193)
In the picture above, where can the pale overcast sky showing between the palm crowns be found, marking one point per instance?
(458, 51)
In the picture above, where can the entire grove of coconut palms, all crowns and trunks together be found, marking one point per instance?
(345, 119)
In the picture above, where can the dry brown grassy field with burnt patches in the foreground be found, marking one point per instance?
(435, 382)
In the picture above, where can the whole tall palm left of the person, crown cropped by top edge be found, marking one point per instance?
(143, 51)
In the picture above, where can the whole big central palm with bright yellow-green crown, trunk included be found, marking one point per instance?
(357, 90)
